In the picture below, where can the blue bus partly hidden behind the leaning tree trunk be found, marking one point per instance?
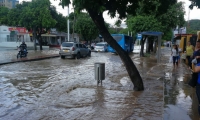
(126, 42)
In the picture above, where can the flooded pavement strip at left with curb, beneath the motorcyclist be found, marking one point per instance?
(10, 55)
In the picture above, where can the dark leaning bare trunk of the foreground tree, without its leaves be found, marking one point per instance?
(130, 67)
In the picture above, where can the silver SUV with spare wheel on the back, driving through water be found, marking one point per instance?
(74, 50)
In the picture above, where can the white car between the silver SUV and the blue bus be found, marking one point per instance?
(101, 47)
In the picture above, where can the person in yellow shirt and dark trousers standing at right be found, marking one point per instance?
(189, 53)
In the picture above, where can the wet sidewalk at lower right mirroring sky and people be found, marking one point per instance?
(179, 96)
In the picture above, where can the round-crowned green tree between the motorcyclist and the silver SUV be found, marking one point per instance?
(37, 16)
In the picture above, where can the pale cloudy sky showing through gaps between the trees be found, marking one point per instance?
(194, 14)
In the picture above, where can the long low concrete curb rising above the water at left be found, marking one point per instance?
(30, 59)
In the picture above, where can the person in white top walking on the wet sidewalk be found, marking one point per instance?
(174, 55)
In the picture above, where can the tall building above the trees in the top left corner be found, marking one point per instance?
(9, 3)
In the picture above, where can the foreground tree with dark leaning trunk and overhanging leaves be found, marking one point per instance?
(95, 8)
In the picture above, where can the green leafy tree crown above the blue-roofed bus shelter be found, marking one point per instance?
(155, 21)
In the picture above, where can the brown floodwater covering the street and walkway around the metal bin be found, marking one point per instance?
(65, 89)
